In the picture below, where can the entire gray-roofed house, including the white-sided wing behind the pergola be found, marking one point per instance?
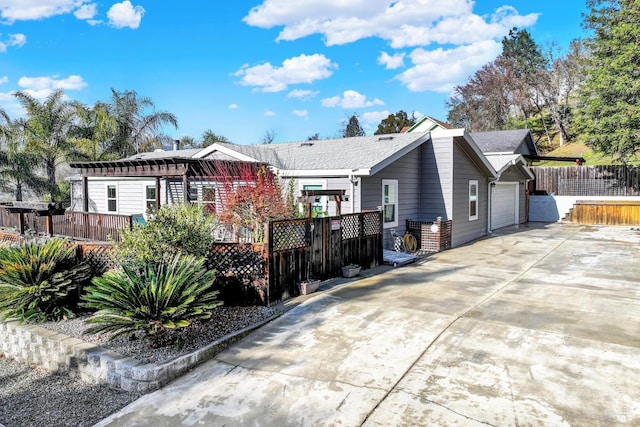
(409, 176)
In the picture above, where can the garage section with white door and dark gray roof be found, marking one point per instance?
(508, 151)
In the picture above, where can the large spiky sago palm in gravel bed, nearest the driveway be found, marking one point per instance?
(152, 300)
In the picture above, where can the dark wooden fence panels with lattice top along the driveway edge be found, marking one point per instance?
(300, 249)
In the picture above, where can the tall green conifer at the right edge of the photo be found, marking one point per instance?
(609, 108)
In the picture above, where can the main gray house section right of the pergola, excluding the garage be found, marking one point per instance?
(410, 176)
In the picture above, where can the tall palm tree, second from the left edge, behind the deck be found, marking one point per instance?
(47, 131)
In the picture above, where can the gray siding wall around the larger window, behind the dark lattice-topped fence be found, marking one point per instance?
(406, 171)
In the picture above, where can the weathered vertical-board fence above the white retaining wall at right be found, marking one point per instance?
(612, 180)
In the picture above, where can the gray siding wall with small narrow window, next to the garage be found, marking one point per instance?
(464, 170)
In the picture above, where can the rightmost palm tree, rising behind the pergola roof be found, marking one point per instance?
(137, 129)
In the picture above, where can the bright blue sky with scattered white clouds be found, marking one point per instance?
(243, 69)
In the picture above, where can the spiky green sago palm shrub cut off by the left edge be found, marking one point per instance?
(39, 281)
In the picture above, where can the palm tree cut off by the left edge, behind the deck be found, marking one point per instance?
(17, 165)
